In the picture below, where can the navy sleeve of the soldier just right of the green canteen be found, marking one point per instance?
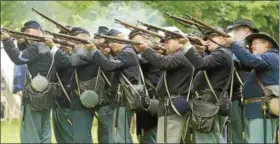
(125, 59)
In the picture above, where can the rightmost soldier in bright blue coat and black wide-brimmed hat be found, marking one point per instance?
(262, 57)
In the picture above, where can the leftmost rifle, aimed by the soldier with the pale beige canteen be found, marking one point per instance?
(35, 37)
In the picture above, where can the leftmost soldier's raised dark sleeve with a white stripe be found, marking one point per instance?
(20, 57)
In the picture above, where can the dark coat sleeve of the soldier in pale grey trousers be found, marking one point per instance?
(162, 61)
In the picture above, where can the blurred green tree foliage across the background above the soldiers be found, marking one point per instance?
(84, 13)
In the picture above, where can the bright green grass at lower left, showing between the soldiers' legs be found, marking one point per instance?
(10, 132)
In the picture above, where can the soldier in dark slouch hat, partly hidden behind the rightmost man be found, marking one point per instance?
(240, 29)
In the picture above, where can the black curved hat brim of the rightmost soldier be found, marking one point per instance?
(253, 36)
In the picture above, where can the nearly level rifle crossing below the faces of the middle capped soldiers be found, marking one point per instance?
(115, 39)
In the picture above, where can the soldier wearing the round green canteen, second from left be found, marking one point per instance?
(82, 80)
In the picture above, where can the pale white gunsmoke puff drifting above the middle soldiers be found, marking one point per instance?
(128, 12)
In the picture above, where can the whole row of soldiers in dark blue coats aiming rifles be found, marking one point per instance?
(207, 94)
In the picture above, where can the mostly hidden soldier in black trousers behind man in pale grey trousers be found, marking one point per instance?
(146, 122)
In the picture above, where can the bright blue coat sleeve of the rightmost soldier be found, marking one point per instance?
(249, 60)
